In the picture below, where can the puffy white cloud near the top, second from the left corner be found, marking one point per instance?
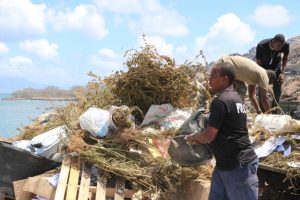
(84, 18)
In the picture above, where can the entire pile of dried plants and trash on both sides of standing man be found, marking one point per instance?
(125, 124)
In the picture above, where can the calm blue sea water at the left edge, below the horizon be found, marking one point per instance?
(18, 113)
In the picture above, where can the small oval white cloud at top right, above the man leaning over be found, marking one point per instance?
(272, 16)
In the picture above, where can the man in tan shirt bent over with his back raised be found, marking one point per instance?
(247, 71)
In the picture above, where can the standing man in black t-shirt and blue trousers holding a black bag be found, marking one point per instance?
(235, 174)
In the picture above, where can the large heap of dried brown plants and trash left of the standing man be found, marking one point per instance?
(111, 128)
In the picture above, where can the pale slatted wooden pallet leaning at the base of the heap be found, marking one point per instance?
(69, 187)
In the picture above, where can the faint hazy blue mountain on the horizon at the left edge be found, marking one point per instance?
(10, 84)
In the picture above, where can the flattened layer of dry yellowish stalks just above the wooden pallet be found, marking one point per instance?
(145, 171)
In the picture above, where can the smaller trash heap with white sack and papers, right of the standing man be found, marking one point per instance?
(276, 140)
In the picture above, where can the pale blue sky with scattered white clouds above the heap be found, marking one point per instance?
(57, 42)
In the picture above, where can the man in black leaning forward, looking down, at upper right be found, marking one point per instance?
(273, 54)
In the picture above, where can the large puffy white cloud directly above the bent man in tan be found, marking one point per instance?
(228, 35)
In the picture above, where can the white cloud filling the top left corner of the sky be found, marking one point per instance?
(20, 19)
